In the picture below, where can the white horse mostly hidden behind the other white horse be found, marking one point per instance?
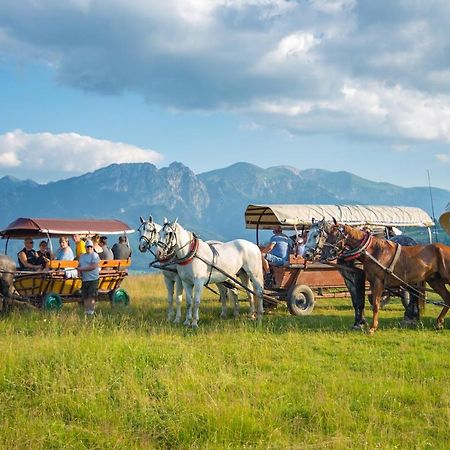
(149, 237)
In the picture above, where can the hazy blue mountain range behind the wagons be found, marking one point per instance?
(211, 203)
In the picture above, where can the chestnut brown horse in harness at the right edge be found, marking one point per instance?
(382, 259)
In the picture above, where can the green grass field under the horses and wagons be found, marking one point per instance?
(128, 379)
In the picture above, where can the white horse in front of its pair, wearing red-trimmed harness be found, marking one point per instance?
(199, 263)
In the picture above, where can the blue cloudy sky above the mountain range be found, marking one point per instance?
(361, 86)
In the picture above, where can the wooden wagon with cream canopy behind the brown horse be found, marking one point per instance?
(299, 282)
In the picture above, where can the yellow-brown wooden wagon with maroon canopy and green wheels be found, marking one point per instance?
(58, 282)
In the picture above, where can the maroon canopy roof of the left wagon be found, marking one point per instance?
(24, 227)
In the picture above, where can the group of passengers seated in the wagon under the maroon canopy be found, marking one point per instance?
(30, 259)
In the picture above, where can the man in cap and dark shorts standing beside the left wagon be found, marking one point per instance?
(88, 267)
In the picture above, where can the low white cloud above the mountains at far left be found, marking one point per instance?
(56, 156)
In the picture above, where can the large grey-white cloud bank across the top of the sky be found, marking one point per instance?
(321, 66)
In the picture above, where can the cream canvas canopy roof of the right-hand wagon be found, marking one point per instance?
(266, 216)
